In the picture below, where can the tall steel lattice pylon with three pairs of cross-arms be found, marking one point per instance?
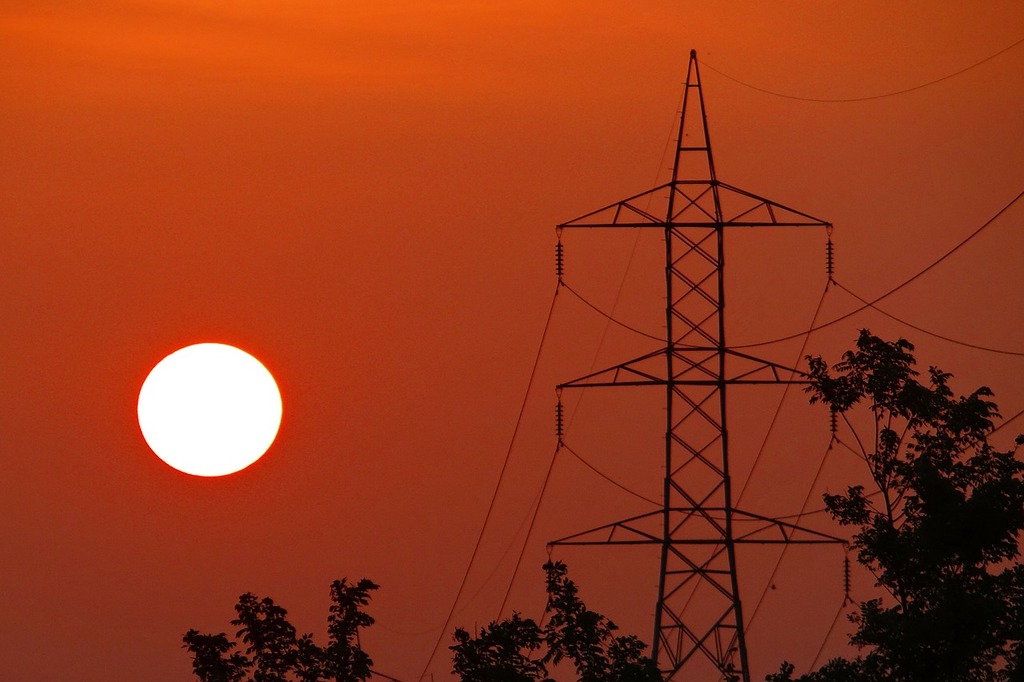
(698, 528)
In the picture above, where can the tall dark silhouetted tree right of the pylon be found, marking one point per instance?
(940, 531)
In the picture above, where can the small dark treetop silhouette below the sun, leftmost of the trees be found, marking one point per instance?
(274, 654)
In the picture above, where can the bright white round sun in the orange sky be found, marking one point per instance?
(209, 410)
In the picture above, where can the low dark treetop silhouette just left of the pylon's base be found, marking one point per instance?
(506, 651)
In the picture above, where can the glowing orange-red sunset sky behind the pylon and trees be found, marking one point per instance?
(364, 197)
